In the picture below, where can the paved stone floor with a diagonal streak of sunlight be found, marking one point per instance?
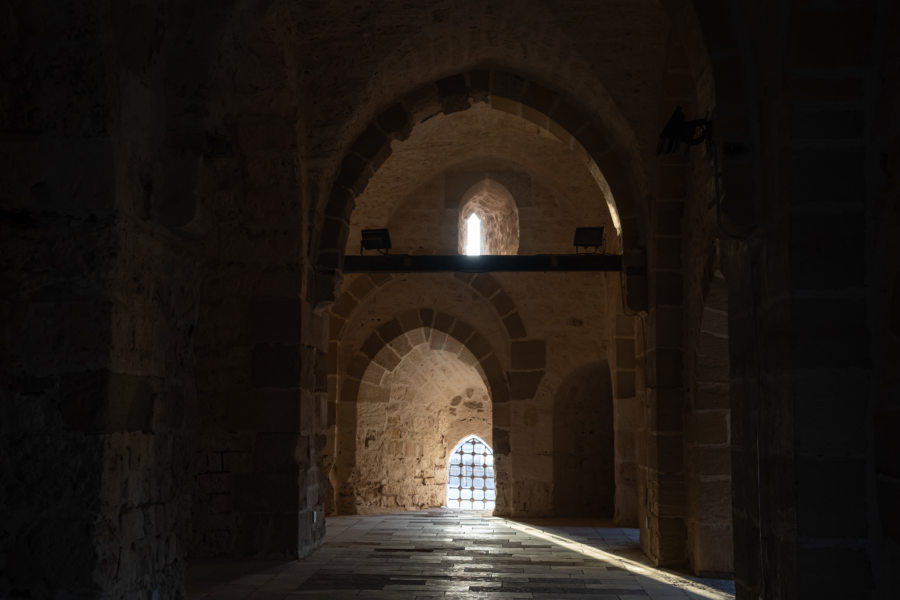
(449, 554)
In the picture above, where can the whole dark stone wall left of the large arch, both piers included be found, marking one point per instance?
(178, 242)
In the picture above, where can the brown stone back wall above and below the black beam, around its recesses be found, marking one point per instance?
(574, 318)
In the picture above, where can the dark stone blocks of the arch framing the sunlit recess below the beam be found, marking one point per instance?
(513, 371)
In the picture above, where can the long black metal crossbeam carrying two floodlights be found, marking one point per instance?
(406, 263)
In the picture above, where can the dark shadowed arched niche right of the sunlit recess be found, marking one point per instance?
(583, 460)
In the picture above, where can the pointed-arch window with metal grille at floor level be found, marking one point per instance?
(470, 481)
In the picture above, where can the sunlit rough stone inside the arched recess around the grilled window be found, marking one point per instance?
(409, 422)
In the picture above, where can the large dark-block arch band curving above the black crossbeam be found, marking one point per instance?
(507, 91)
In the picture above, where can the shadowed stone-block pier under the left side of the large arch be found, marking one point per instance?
(260, 427)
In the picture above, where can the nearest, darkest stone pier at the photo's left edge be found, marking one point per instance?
(95, 376)
